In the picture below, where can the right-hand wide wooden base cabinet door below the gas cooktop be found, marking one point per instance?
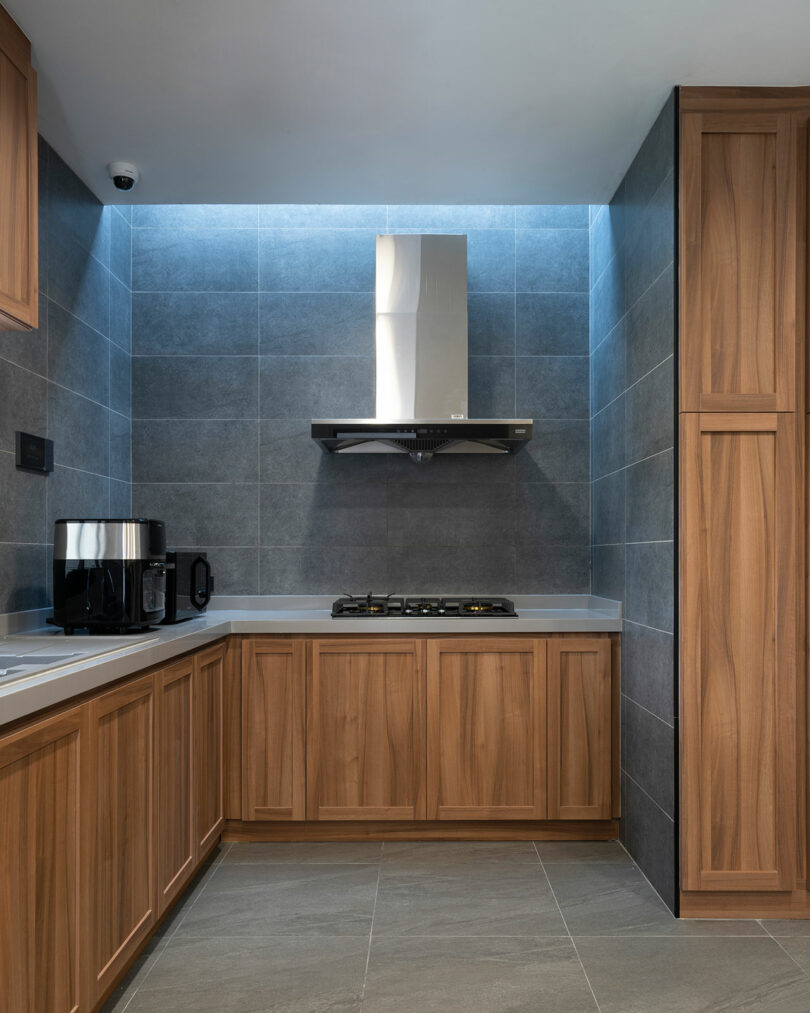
(487, 729)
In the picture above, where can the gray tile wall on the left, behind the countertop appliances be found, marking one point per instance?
(69, 380)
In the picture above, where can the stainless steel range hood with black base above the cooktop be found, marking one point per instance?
(422, 361)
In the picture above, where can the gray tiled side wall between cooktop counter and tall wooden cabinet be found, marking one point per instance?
(633, 475)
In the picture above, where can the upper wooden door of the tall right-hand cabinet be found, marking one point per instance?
(741, 346)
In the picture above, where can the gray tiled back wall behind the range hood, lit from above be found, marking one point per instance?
(250, 322)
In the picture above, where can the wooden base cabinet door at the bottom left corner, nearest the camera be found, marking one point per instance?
(41, 928)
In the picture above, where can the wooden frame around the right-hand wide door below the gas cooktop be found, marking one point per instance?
(489, 645)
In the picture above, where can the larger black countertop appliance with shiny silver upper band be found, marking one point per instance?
(110, 576)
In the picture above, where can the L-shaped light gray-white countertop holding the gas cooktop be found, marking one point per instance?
(97, 661)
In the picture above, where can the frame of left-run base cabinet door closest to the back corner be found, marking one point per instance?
(206, 836)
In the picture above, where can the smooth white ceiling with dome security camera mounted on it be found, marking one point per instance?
(367, 102)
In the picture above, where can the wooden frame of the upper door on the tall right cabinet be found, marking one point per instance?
(696, 350)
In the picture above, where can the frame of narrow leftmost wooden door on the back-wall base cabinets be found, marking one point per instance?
(253, 808)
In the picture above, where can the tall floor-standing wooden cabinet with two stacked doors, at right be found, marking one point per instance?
(744, 670)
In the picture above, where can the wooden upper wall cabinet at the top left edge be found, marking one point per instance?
(19, 264)
